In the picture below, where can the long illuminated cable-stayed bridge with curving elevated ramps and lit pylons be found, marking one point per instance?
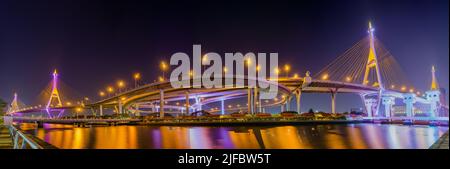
(367, 69)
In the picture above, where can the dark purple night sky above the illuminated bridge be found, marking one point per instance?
(94, 43)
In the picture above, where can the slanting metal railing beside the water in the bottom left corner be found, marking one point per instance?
(21, 140)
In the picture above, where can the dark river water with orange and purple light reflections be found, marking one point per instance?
(351, 136)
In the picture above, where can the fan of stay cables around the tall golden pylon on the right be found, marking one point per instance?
(351, 65)
